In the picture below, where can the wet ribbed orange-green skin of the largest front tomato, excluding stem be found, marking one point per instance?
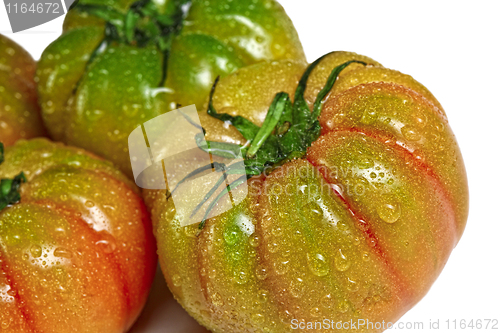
(359, 228)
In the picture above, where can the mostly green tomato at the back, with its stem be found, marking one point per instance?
(121, 63)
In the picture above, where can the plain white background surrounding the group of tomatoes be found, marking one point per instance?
(453, 48)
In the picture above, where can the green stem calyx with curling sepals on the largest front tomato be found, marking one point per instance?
(287, 131)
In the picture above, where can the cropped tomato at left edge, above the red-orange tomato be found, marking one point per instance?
(19, 112)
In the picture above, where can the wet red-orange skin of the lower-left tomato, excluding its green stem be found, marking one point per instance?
(76, 253)
